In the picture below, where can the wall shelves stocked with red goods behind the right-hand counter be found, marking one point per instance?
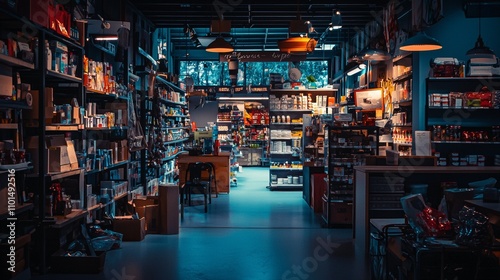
(462, 115)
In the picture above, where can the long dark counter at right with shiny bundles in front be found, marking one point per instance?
(378, 190)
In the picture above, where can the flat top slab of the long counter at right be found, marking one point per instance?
(427, 169)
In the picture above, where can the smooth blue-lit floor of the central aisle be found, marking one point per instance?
(251, 233)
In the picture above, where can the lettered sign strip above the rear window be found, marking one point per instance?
(263, 56)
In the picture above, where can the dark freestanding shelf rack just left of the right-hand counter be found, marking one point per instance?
(345, 148)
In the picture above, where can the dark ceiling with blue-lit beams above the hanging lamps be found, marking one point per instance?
(259, 24)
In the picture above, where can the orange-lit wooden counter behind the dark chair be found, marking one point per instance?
(221, 163)
